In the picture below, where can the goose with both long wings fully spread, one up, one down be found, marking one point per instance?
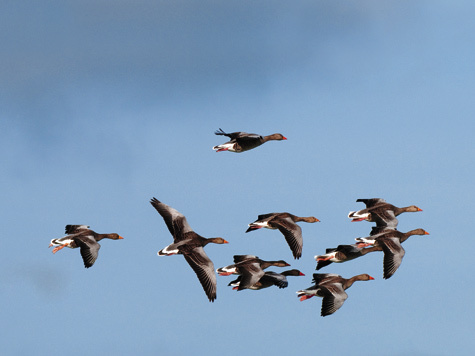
(189, 244)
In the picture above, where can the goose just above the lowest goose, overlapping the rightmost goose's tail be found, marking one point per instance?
(343, 253)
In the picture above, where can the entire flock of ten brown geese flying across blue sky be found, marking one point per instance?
(249, 268)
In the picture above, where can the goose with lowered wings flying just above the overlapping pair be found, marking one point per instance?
(286, 223)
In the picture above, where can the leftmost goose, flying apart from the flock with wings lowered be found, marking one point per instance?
(84, 238)
